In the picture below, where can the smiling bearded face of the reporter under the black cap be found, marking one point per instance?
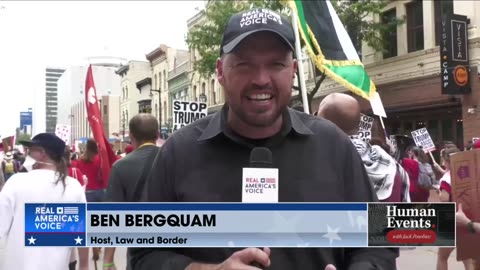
(257, 78)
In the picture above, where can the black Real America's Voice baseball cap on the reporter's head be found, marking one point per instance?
(243, 24)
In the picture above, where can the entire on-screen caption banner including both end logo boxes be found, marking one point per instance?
(240, 224)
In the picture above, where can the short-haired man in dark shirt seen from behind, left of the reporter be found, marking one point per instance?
(129, 173)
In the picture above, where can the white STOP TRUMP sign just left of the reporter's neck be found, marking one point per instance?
(187, 112)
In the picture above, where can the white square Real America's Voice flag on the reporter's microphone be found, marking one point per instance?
(260, 185)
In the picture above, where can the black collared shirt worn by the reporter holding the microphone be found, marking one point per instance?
(317, 162)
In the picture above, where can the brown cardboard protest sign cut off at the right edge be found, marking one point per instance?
(465, 176)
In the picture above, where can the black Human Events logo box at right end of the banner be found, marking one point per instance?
(411, 224)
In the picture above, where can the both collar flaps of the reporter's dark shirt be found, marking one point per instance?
(217, 124)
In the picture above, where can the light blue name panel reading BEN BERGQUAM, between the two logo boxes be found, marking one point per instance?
(227, 225)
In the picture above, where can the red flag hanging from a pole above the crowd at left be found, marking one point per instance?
(107, 157)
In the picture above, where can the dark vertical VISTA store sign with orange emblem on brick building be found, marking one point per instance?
(455, 72)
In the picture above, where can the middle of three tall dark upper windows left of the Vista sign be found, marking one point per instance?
(415, 26)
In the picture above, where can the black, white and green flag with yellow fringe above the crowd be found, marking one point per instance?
(330, 47)
